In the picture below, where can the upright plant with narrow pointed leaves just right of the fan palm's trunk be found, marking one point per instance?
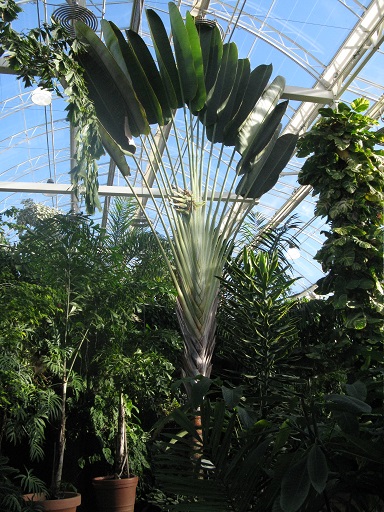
(255, 318)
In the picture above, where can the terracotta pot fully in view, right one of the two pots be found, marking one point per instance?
(115, 495)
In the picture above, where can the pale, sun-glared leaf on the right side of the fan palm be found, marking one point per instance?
(252, 126)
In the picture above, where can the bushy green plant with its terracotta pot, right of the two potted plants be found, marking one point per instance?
(125, 367)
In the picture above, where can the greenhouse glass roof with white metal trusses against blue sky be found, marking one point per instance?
(327, 50)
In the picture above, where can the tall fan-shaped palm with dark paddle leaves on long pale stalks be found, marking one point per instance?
(227, 124)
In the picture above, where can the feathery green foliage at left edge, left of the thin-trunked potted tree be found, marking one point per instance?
(27, 404)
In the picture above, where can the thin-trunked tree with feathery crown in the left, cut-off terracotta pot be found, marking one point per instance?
(66, 272)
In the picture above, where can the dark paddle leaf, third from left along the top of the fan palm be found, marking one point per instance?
(145, 58)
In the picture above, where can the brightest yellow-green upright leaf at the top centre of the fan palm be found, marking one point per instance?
(198, 102)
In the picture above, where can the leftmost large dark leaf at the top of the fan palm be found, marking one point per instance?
(112, 73)
